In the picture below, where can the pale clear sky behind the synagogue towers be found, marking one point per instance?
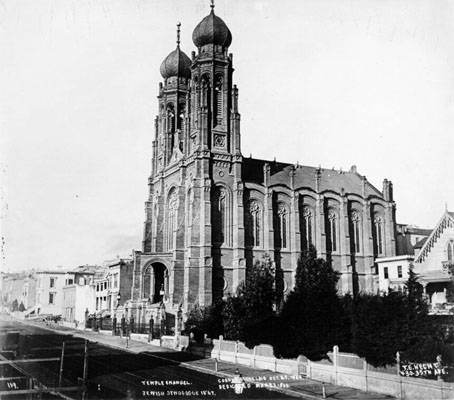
(321, 82)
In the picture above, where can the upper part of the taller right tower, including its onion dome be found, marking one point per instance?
(214, 122)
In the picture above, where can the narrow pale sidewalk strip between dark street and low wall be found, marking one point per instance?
(301, 387)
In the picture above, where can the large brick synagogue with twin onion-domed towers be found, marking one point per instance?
(211, 213)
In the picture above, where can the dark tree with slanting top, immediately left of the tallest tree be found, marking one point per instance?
(248, 316)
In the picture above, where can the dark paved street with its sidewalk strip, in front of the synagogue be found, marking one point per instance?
(144, 371)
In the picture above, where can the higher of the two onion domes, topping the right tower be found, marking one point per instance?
(212, 30)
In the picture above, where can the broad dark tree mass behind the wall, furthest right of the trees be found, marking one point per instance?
(396, 321)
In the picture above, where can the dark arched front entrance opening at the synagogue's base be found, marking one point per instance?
(155, 282)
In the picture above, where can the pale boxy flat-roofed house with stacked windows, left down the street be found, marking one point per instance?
(49, 290)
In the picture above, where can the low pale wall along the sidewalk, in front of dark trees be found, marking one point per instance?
(344, 369)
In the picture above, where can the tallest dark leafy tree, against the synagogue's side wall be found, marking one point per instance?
(310, 316)
